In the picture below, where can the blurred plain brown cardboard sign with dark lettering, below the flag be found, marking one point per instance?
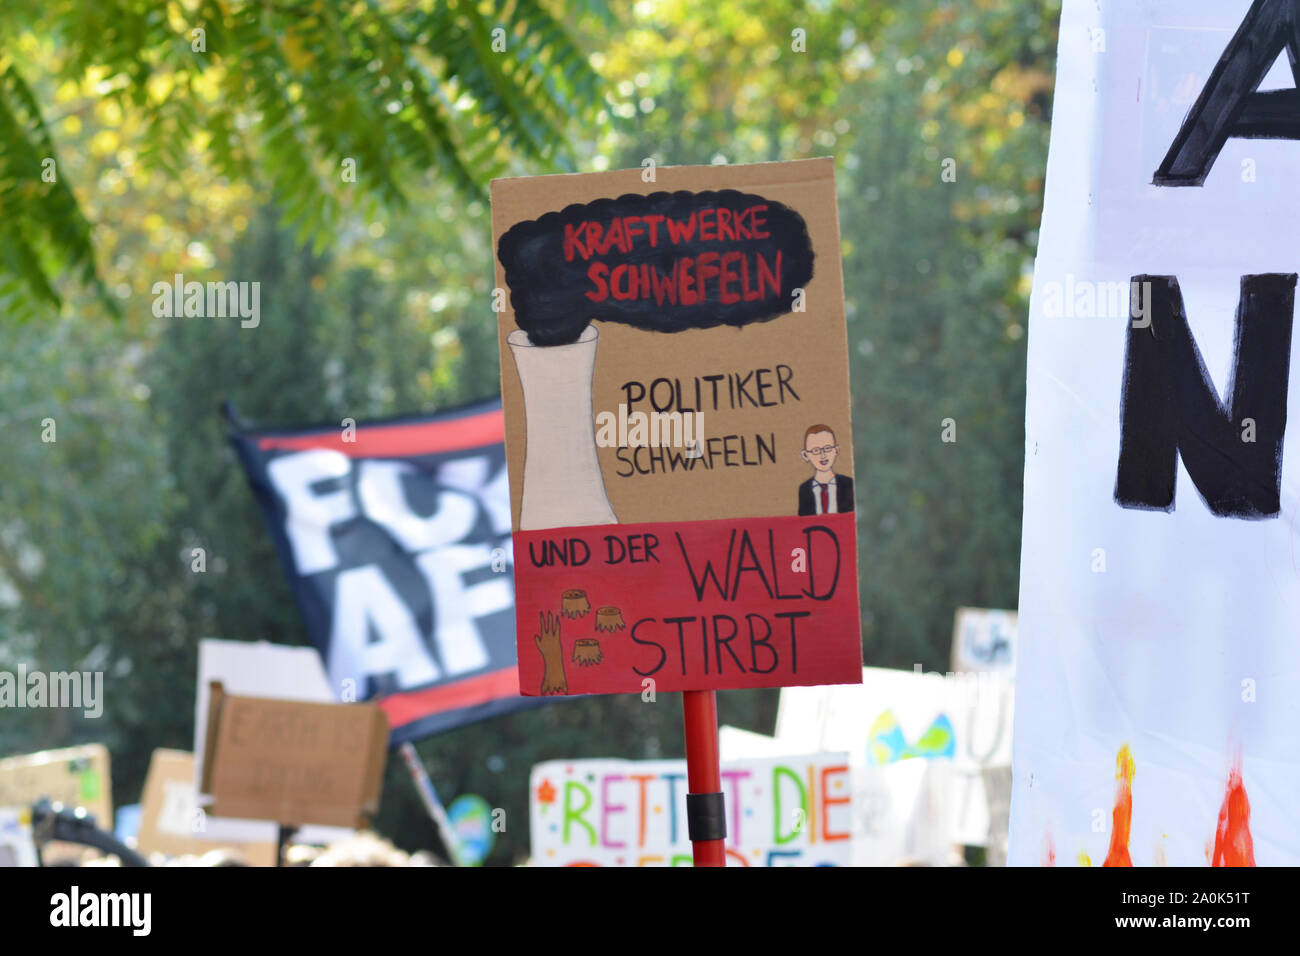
(292, 762)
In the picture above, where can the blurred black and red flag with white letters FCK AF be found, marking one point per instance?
(396, 539)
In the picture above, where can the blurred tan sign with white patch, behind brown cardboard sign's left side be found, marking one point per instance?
(171, 820)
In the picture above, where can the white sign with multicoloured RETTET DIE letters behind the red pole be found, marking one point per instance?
(781, 812)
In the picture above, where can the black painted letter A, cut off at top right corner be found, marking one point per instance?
(1229, 106)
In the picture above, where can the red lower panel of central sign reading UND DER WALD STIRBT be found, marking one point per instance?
(692, 605)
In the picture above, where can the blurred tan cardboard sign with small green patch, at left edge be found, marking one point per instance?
(75, 777)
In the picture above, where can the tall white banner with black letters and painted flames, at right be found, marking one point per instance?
(1160, 589)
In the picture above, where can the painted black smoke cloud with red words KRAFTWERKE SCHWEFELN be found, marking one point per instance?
(668, 262)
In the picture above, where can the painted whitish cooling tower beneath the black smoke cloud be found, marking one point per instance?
(564, 486)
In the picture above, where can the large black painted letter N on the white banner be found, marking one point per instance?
(1169, 405)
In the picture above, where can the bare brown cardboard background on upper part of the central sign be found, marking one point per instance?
(812, 344)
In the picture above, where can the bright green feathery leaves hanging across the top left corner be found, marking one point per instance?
(332, 106)
